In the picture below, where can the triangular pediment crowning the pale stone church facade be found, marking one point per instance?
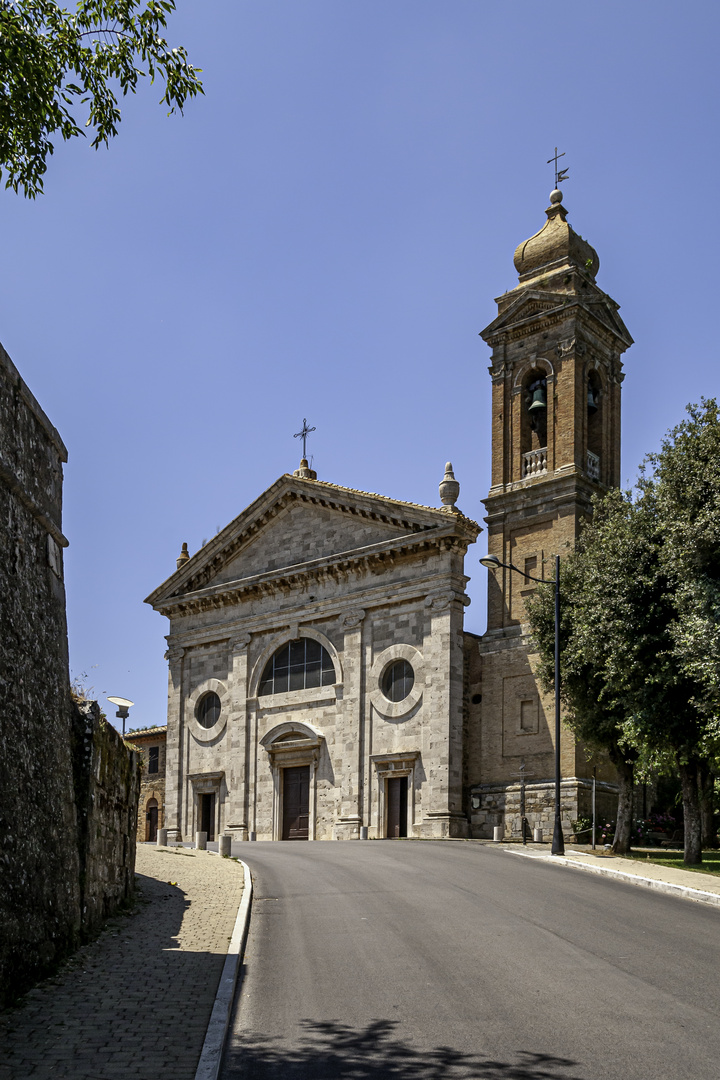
(298, 524)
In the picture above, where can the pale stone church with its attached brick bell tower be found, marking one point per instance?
(322, 685)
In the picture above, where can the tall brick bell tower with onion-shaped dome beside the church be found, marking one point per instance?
(558, 345)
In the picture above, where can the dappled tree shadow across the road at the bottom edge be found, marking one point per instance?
(334, 1051)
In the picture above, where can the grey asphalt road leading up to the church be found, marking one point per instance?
(429, 960)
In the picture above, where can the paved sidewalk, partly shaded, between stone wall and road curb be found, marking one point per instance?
(137, 1002)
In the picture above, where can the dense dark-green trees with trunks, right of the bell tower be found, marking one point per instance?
(641, 619)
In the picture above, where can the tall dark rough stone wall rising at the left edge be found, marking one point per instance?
(42, 881)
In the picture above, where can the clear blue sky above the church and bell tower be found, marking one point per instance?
(323, 235)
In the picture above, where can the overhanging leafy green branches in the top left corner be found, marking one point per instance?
(57, 63)
